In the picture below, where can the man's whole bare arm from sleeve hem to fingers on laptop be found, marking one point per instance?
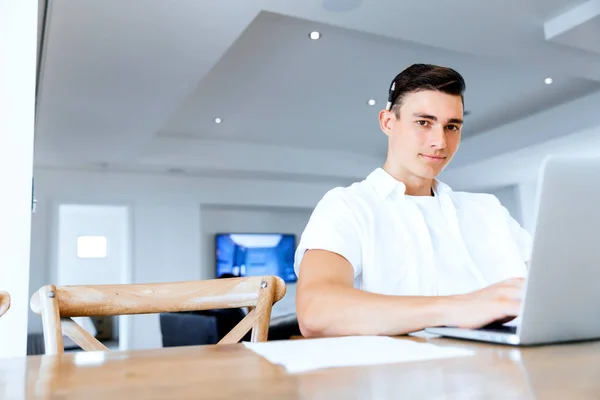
(327, 304)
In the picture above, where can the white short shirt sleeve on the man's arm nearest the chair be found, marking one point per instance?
(333, 227)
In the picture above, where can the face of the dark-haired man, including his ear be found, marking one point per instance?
(427, 134)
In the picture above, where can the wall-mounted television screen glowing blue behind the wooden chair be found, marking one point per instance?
(255, 254)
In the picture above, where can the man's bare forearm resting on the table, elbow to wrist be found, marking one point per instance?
(339, 311)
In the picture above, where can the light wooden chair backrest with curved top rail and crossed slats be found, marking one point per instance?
(58, 304)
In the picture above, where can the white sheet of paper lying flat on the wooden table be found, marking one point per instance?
(311, 354)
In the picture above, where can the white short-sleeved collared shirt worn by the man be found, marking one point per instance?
(450, 243)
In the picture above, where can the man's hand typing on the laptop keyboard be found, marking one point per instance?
(500, 302)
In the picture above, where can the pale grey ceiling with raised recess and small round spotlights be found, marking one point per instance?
(136, 85)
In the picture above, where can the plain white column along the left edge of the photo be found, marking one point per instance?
(18, 43)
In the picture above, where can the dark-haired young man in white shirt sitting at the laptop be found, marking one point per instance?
(400, 251)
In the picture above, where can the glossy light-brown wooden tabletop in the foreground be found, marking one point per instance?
(570, 371)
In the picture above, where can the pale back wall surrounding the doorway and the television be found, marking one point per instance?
(166, 222)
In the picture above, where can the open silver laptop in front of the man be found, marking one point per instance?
(562, 289)
